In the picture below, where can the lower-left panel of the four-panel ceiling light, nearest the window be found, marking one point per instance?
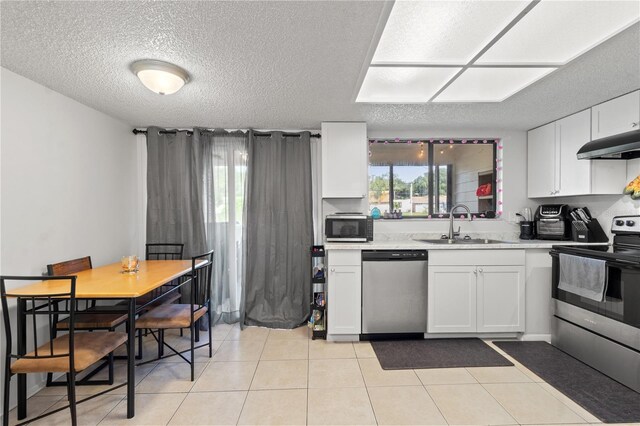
(403, 84)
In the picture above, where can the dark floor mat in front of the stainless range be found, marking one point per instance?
(608, 400)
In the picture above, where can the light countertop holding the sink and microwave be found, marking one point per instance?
(410, 244)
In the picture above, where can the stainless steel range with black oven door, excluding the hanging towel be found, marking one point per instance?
(604, 333)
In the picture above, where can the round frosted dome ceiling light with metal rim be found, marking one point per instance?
(160, 77)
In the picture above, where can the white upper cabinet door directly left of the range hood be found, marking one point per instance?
(574, 175)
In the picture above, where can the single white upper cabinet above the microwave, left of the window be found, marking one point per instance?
(344, 160)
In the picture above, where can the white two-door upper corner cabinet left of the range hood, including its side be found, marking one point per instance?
(554, 169)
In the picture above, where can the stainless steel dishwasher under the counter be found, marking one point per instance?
(394, 291)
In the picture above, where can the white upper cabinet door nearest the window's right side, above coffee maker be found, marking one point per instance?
(541, 161)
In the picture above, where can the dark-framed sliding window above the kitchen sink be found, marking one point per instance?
(424, 178)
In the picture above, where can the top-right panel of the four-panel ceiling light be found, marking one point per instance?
(555, 32)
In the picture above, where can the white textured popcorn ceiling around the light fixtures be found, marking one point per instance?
(286, 65)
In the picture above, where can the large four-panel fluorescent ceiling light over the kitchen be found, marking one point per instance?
(483, 51)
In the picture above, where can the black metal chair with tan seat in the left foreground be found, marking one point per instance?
(70, 354)
